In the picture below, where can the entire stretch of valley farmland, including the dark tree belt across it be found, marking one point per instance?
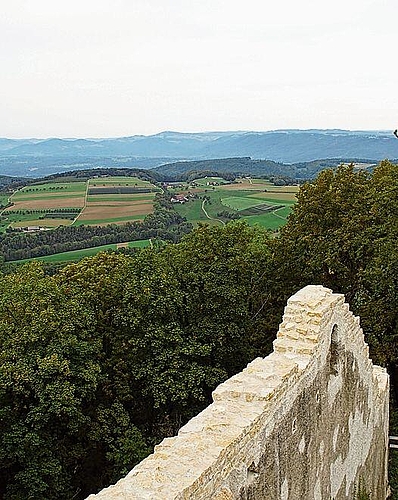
(103, 210)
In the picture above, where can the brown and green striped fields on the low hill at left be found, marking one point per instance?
(97, 201)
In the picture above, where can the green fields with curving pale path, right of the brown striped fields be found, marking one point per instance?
(213, 200)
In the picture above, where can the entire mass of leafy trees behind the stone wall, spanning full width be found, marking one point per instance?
(109, 355)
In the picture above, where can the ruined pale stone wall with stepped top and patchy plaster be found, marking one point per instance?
(310, 421)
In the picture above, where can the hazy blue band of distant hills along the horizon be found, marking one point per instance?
(38, 157)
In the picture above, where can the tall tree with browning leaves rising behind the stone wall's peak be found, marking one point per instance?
(342, 234)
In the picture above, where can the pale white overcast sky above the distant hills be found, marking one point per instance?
(111, 68)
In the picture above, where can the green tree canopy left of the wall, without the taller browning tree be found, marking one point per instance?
(110, 355)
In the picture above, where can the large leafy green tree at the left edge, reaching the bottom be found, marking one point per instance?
(47, 377)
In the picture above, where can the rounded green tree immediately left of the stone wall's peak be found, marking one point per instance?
(223, 274)
